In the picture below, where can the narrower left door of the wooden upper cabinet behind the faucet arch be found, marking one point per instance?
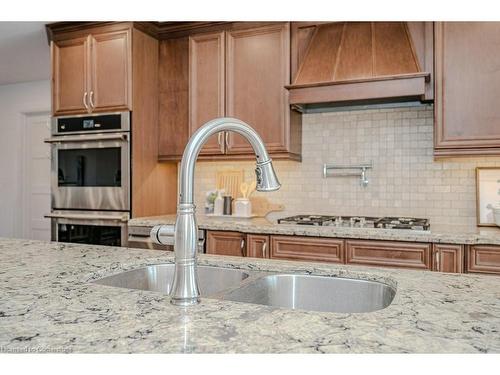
(206, 86)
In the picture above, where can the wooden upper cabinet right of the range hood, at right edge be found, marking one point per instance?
(467, 115)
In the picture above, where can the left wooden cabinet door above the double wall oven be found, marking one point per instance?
(70, 60)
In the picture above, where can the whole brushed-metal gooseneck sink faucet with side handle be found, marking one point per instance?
(184, 234)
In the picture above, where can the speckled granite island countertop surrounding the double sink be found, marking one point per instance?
(47, 304)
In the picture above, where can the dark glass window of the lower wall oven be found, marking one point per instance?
(89, 234)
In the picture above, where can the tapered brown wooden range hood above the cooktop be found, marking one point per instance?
(357, 62)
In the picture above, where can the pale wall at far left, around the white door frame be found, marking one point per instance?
(15, 101)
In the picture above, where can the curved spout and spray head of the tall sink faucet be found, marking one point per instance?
(266, 177)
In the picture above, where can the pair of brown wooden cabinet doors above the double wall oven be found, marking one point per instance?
(92, 73)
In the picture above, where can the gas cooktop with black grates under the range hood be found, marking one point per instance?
(358, 221)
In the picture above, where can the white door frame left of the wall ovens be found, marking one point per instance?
(23, 227)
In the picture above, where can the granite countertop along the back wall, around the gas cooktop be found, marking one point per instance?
(486, 236)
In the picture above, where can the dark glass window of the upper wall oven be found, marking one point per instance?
(90, 167)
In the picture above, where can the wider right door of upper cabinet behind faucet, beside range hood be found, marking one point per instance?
(258, 68)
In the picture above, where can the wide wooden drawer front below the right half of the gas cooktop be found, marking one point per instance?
(389, 254)
